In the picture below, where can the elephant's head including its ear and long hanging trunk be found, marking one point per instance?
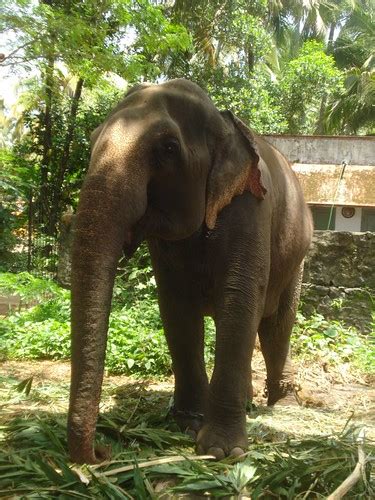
(164, 163)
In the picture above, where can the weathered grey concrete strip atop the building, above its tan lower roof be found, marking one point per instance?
(354, 150)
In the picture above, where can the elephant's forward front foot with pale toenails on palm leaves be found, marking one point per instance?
(222, 442)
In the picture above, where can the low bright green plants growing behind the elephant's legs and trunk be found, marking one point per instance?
(136, 343)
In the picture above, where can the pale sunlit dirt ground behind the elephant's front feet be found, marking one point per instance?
(330, 395)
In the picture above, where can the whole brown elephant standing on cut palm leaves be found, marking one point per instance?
(227, 228)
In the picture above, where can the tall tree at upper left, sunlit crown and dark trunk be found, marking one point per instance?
(89, 39)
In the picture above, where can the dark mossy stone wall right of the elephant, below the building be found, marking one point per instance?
(339, 278)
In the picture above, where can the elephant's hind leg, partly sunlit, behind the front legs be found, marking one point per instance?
(274, 336)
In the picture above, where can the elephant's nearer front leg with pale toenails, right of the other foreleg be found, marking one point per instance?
(224, 432)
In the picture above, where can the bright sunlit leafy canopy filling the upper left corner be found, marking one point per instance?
(89, 37)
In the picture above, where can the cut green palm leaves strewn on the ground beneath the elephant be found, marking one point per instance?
(151, 459)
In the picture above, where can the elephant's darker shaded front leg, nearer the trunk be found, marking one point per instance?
(184, 329)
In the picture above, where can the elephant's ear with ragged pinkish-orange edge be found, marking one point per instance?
(235, 168)
